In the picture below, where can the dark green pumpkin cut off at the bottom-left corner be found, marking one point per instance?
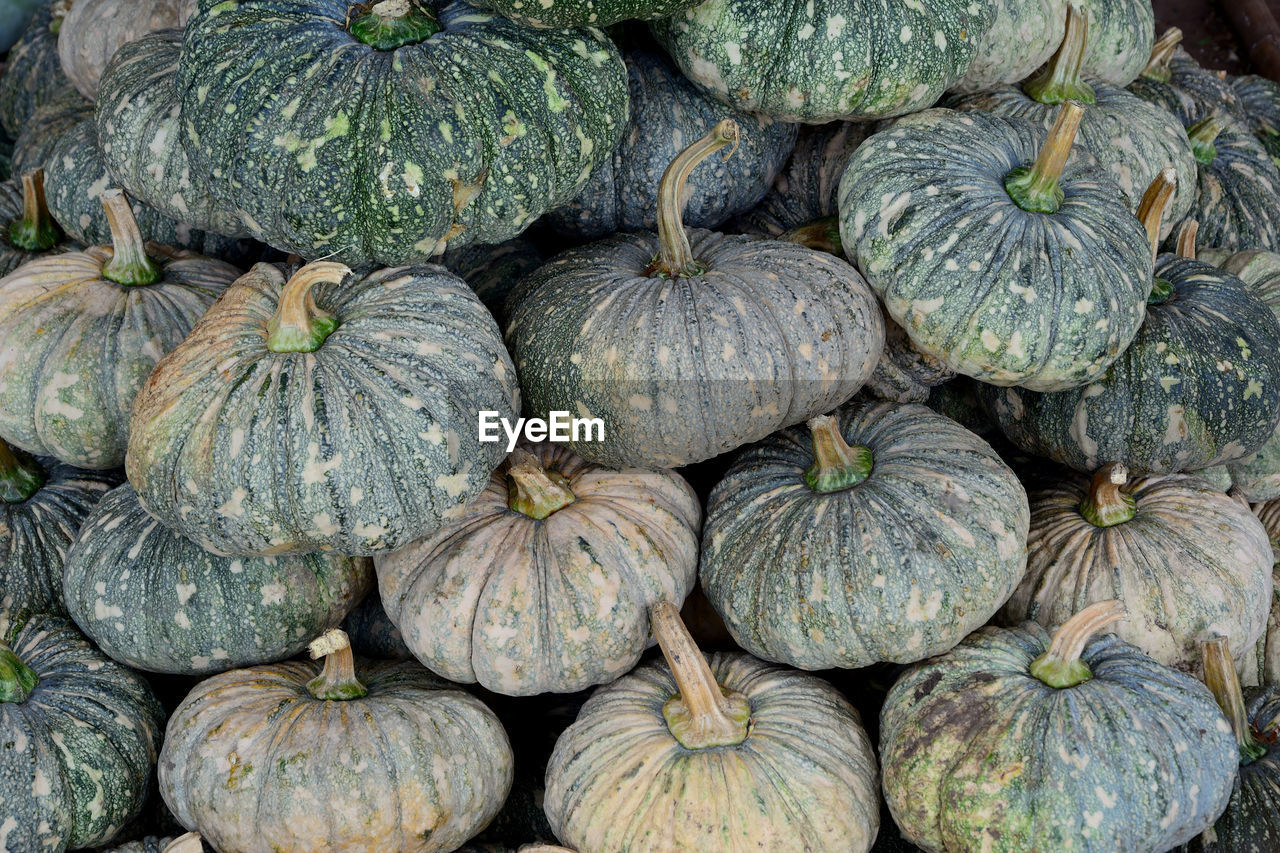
(79, 733)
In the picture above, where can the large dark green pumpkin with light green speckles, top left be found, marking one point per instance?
(437, 125)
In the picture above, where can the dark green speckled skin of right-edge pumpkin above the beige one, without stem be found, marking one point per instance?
(1199, 387)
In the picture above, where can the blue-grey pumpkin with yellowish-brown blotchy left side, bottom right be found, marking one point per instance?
(1018, 742)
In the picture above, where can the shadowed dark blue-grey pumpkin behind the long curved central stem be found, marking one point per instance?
(666, 111)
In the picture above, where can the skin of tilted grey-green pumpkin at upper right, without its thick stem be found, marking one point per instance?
(1021, 311)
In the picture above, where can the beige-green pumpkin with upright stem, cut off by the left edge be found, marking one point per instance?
(84, 331)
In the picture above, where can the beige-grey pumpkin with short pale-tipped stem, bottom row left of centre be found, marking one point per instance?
(383, 756)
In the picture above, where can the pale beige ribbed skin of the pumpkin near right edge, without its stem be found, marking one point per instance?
(1191, 564)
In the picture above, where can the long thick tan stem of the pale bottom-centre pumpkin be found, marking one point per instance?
(702, 714)
